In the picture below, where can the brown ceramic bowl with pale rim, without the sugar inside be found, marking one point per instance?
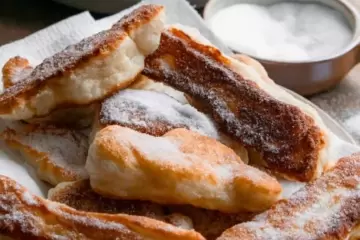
(308, 77)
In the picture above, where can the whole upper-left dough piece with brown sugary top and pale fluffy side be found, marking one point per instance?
(88, 71)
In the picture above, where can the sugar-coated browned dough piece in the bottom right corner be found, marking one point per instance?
(328, 208)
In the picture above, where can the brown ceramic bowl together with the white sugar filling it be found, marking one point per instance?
(306, 46)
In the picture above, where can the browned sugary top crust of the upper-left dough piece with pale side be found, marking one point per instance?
(75, 56)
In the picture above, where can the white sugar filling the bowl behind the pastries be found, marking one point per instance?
(282, 31)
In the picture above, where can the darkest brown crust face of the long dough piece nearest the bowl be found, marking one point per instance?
(286, 138)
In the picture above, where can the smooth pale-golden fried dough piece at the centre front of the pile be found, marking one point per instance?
(181, 167)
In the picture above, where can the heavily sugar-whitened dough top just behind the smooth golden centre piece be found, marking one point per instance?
(149, 110)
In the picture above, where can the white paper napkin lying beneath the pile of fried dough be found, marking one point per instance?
(54, 38)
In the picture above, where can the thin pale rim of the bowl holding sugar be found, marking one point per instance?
(354, 44)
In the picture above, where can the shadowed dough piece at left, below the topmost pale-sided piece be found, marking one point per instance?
(57, 154)
